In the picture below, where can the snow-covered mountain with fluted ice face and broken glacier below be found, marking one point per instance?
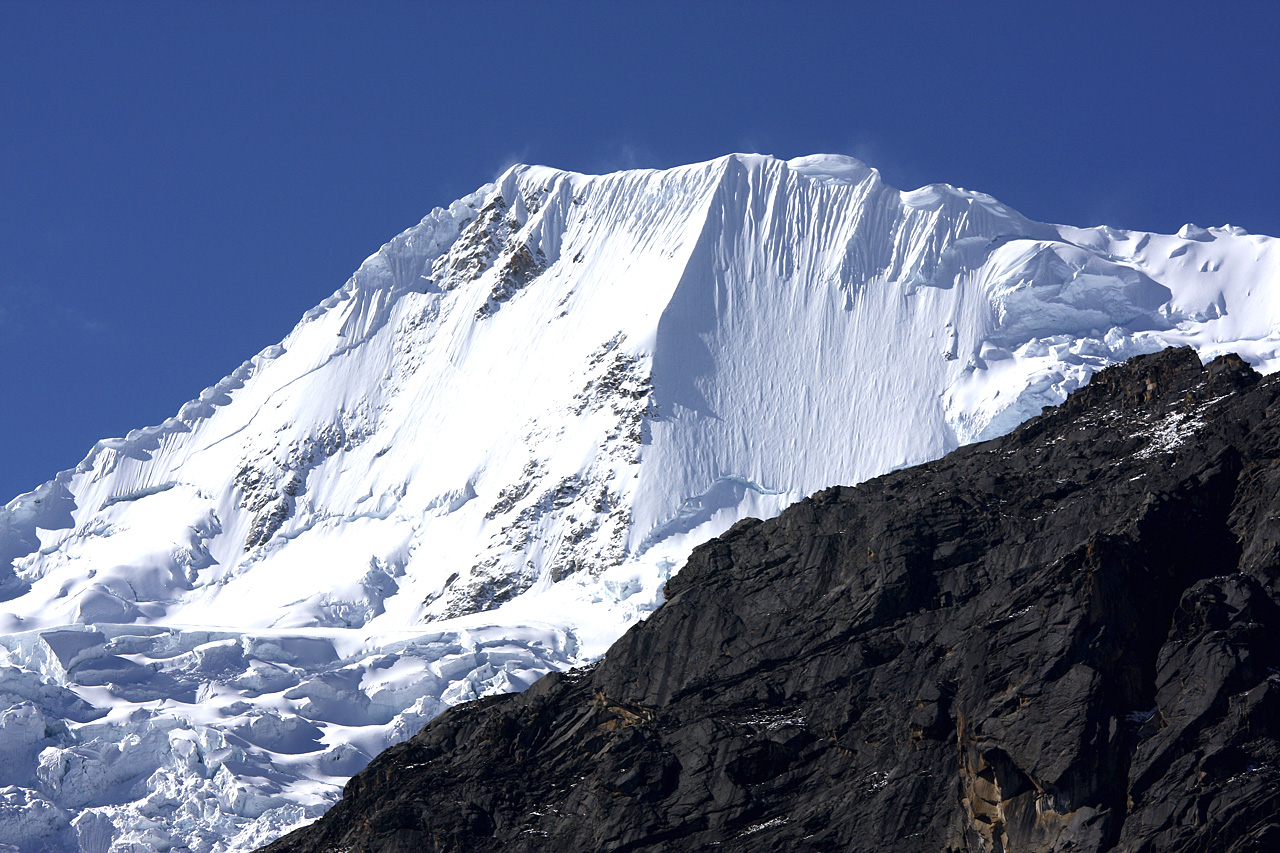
(482, 457)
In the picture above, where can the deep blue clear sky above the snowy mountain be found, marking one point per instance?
(180, 183)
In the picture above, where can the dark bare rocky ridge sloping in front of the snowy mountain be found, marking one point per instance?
(1066, 640)
